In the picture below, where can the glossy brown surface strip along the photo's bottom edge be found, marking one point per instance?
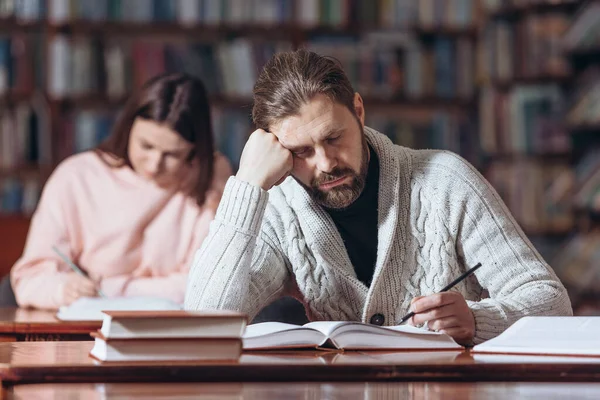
(327, 390)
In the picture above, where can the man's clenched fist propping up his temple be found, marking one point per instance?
(264, 161)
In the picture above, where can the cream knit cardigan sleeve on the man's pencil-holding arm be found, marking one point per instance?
(518, 280)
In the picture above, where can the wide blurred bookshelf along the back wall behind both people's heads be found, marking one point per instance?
(409, 54)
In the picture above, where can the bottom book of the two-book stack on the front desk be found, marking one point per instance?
(178, 349)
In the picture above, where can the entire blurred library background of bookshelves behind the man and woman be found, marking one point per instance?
(511, 85)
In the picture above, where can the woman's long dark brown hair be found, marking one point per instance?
(180, 102)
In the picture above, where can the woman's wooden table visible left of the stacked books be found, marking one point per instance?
(20, 324)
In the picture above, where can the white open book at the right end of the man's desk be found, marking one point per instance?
(572, 336)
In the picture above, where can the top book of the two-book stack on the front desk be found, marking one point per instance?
(172, 324)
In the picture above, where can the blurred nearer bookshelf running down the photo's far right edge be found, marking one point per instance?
(578, 258)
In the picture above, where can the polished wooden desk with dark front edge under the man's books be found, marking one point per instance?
(68, 362)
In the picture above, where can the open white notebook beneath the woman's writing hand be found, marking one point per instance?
(90, 308)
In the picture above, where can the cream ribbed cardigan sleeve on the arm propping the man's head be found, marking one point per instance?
(238, 266)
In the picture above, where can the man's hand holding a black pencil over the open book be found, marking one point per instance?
(446, 312)
